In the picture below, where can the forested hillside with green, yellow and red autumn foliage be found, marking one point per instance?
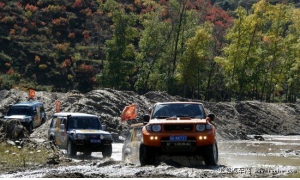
(223, 50)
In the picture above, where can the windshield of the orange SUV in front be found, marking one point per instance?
(178, 110)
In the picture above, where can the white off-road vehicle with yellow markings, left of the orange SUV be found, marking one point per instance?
(80, 132)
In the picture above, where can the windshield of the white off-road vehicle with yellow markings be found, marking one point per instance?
(84, 123)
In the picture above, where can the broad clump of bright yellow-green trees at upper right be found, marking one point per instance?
(256, 57)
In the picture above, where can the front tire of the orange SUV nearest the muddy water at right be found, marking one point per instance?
(211, 155)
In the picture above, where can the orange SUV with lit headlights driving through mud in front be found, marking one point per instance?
(175, 128)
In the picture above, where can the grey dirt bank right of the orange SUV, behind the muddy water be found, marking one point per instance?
(237, 120)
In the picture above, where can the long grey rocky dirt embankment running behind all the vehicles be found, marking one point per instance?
(234, 120)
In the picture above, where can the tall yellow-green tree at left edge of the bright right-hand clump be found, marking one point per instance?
(235, 53)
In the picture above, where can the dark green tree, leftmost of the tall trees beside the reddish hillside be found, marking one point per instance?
(120, 49)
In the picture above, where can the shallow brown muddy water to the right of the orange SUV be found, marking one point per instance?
(273, 150)
